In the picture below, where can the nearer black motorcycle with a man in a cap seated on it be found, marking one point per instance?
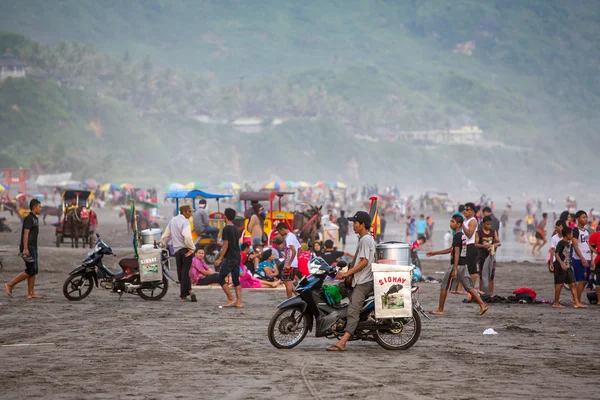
(309, 309)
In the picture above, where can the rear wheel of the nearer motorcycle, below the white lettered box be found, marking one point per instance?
(399, 333)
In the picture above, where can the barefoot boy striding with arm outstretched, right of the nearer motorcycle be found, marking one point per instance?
(458, 270)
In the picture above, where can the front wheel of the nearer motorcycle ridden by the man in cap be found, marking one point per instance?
(288, 327)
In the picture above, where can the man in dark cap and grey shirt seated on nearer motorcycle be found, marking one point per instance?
(361, 275)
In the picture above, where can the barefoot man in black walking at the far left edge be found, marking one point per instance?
(28, 251)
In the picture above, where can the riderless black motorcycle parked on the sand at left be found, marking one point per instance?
(92, 271)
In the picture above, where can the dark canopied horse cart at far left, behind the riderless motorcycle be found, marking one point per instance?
(75, 222)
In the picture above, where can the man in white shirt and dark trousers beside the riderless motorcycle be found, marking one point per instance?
(180, 233)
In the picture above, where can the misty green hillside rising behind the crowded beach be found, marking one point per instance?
(212, 90)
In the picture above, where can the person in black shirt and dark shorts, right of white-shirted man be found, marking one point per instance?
(230, 260)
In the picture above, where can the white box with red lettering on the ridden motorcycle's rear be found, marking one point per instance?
(392, 287)
